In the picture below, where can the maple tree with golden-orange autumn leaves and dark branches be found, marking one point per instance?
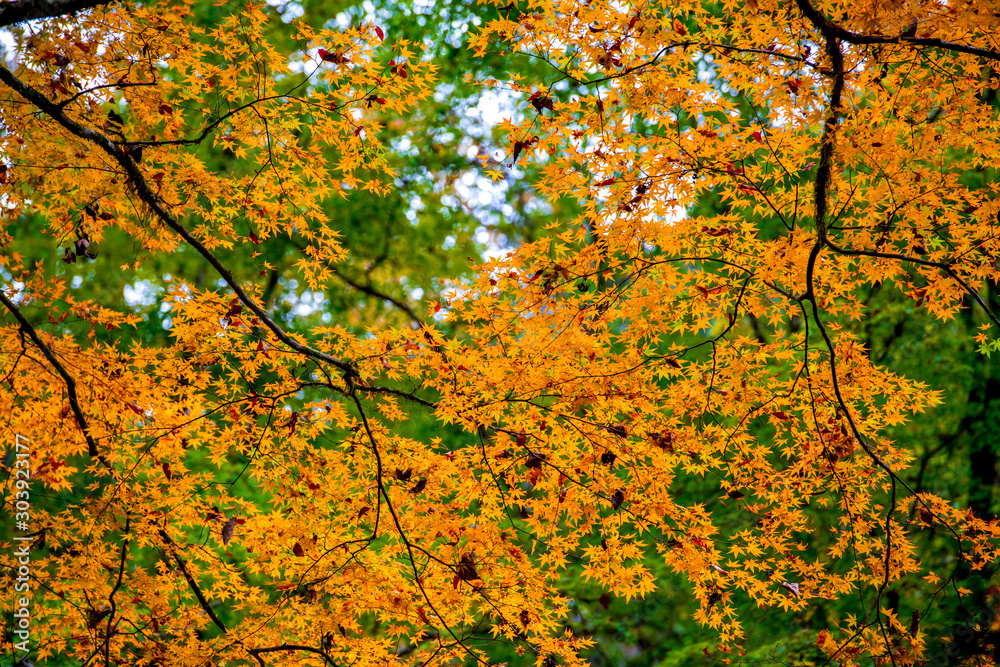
(667, 380)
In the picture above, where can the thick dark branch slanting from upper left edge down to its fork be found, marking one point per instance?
(148, 197)
